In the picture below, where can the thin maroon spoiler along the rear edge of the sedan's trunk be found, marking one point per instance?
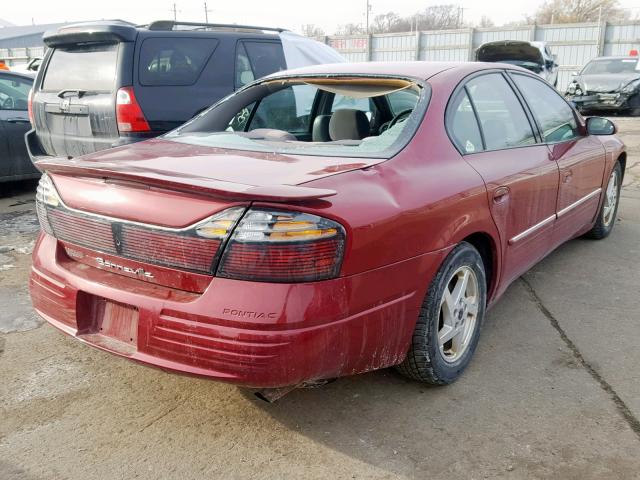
(195, 184)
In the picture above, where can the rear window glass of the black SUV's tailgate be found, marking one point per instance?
(82, 67)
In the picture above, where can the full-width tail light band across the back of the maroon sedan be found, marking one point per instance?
(256, 244)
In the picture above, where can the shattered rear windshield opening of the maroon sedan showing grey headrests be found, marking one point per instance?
(351, 117)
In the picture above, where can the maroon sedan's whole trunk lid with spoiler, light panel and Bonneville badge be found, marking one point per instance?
(133, 210)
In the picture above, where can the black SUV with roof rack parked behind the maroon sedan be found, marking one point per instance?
(104, 84)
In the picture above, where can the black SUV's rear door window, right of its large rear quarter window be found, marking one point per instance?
(257, 59)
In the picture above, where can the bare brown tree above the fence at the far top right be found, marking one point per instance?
(576, 11)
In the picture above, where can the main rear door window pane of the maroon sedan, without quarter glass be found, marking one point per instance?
(502, 118)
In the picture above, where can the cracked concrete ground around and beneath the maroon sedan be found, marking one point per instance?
(553, 391)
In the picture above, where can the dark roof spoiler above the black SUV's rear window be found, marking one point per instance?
(97, 32)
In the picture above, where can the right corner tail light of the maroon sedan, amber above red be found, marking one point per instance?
(283, 246)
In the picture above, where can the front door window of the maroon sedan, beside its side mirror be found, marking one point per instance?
(554, 115)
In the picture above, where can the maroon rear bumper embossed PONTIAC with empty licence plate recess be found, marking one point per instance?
(247, 333)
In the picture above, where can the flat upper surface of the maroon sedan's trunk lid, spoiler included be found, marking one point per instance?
(223, 173)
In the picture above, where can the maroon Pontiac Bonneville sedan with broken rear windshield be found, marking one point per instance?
(323, 222)
